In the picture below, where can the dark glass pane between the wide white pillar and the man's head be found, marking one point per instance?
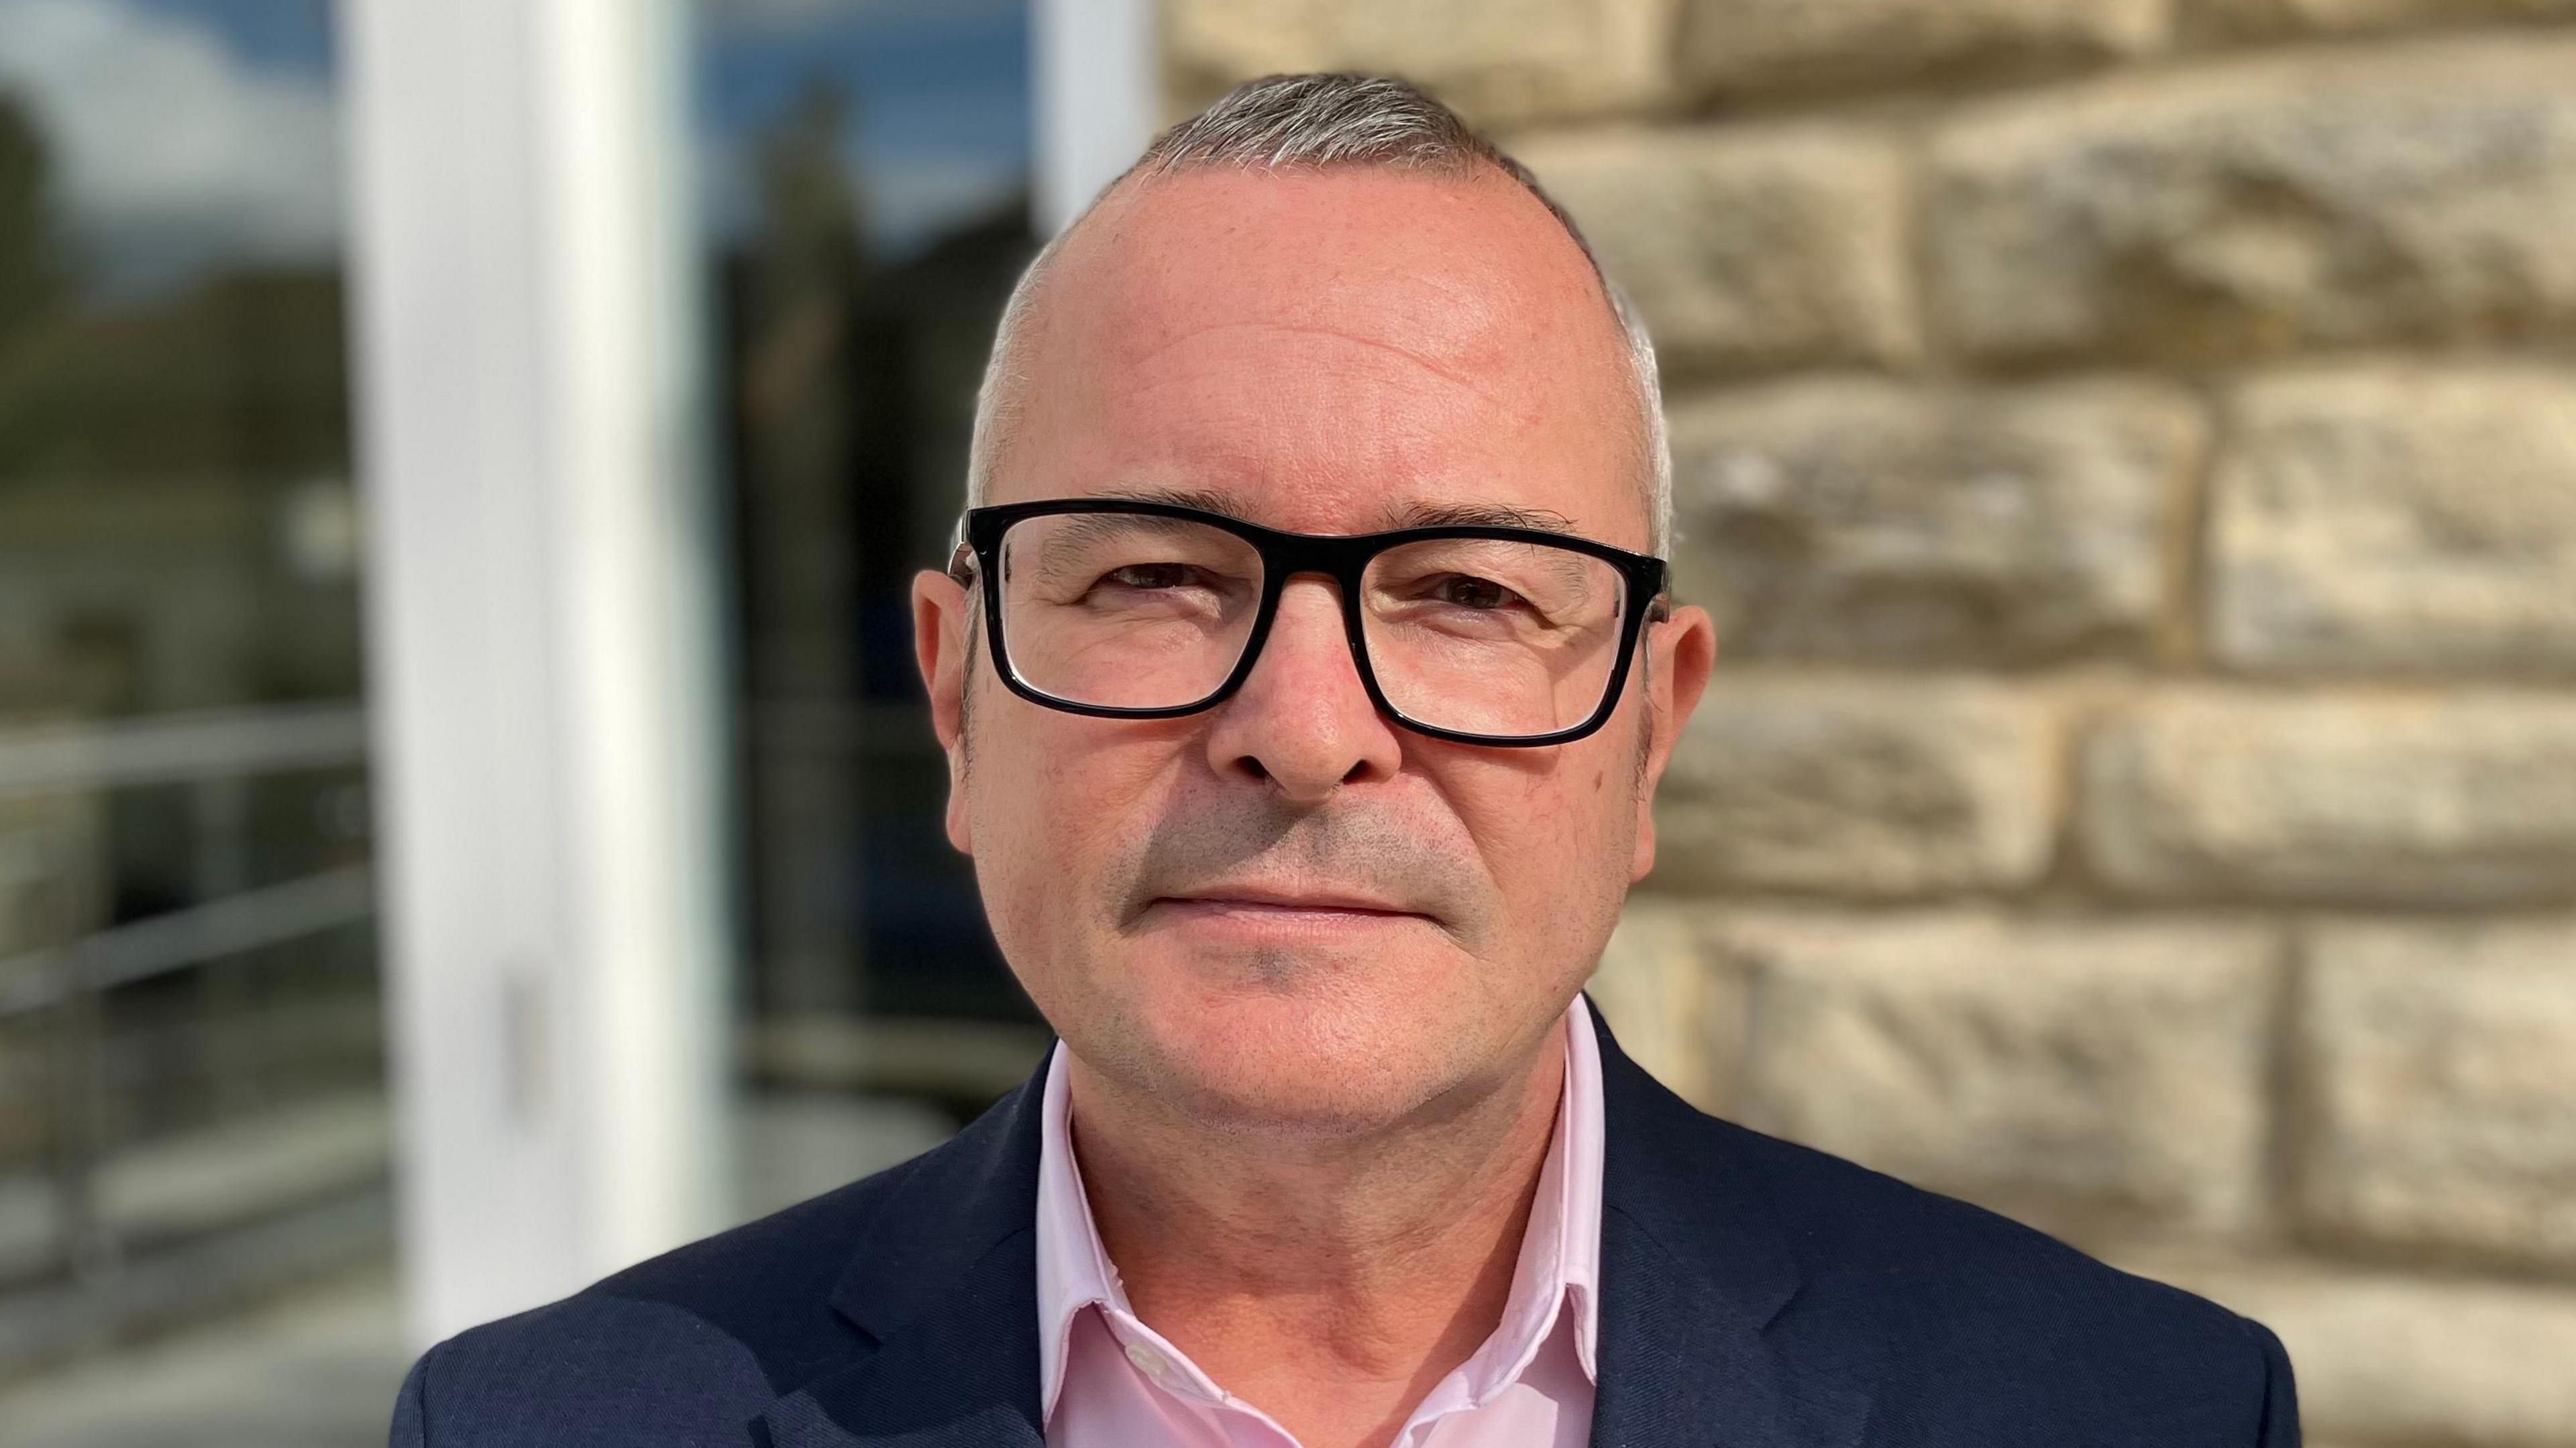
(867, 213)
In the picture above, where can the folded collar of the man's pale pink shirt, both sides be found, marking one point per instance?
(1557, 1269)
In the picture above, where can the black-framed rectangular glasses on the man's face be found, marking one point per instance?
(1467, 633)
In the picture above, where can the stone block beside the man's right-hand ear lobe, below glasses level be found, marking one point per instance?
(1859, 787)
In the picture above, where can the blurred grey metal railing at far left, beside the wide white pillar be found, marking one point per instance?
(61, 986)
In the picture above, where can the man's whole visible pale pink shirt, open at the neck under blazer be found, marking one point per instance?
(1112, 1382)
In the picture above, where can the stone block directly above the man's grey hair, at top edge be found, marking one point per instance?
(1495, 61)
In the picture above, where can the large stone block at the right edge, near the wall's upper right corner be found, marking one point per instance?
(2263, 205)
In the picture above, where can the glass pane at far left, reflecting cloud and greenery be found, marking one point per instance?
(182, 751)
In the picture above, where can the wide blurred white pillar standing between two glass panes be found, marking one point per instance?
(542, 638)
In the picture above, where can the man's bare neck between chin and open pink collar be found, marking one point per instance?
(1328, 1282)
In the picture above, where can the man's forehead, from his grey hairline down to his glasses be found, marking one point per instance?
(1328, 352)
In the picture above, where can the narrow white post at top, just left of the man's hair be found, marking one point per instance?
(1096, 107)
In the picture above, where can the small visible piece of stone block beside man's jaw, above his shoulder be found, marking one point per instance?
(1668, 1001)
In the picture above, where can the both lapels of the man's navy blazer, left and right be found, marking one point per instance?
(1696, 1279)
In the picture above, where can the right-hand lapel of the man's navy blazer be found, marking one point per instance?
(1696, 1274)
